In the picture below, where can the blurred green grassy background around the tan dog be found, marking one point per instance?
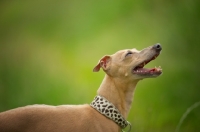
(48, 49)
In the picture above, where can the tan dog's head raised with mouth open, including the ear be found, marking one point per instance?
(130, 63)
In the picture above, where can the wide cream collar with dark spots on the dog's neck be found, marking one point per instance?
(107, 109)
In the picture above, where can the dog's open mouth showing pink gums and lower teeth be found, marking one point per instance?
(147, 71)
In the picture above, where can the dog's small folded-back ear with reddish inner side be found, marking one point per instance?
(103, 63)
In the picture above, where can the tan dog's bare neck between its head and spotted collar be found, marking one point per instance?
(118, 92)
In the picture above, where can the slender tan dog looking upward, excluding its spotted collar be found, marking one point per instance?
(123, 71)
